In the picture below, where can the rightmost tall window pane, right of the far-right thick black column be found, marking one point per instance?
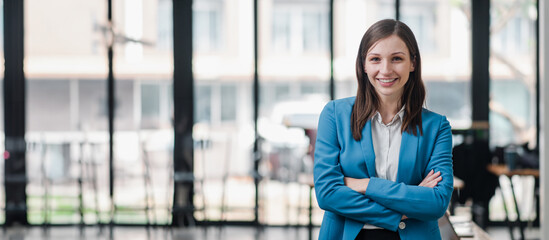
(513, 73)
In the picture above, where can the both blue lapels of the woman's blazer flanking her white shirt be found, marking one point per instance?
(407, 155)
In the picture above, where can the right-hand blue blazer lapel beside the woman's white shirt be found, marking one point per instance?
(407, 156)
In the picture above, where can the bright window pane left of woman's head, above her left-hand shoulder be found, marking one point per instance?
(352, 19)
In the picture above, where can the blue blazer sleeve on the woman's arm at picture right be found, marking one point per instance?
(417, 202)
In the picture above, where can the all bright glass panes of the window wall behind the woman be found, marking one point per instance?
(67, 111)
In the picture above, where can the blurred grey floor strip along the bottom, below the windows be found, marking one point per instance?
(200, 233)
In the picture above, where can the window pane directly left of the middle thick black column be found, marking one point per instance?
(143, 70)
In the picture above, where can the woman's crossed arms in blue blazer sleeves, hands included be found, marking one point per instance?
(377, 201)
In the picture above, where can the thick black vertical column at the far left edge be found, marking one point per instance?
(14, 108)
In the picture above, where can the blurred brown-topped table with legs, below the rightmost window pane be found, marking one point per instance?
(503, 170)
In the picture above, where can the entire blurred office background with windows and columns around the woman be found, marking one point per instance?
(193, 114)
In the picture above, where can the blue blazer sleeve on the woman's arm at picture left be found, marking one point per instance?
(332, 194)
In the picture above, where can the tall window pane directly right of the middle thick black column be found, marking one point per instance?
(223, 130)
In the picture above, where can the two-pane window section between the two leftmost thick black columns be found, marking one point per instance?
(66, 70)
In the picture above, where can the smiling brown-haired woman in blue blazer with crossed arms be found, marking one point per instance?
(383, 163)
